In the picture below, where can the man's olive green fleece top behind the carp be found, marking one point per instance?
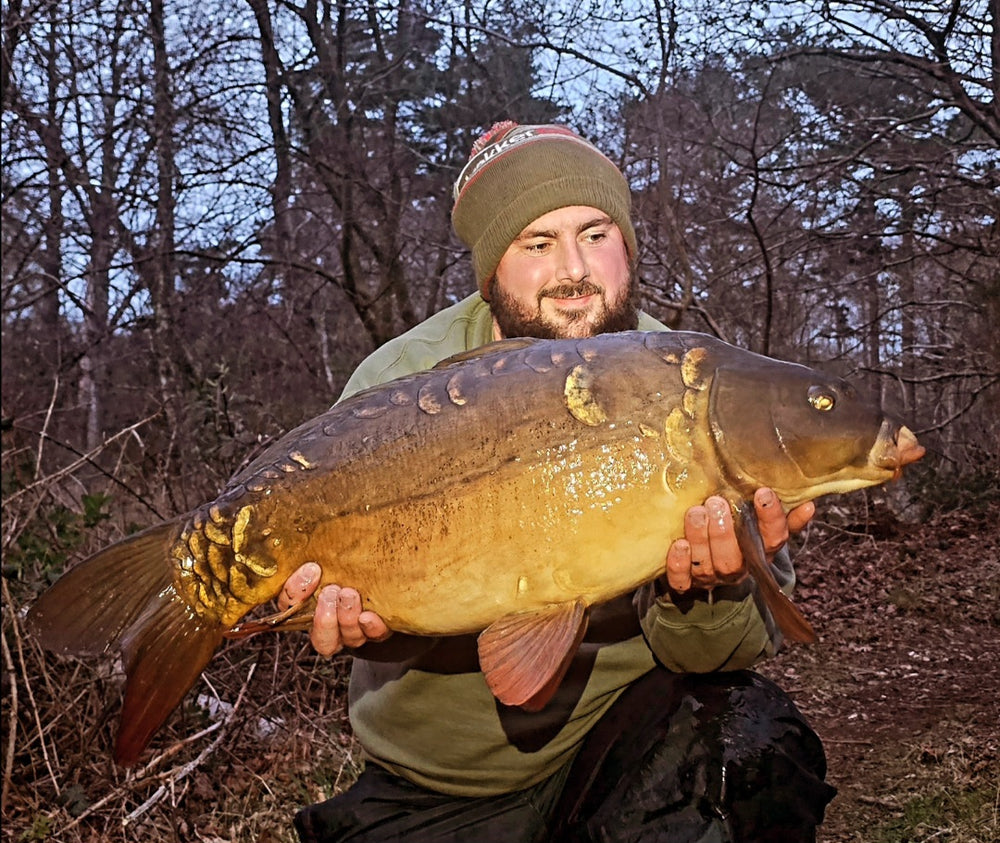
(431, 718)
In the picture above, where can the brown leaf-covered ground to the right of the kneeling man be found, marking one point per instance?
(904, 683)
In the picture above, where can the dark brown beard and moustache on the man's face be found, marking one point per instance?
(519, 319)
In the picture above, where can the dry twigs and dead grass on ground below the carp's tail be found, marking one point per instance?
(263, 733)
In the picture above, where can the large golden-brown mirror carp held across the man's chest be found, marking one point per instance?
(504, 491)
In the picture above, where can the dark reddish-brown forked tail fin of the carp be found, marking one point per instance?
(123, 598)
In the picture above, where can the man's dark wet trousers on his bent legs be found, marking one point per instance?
(716, 758)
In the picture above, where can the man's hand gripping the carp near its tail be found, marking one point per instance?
(338, 621)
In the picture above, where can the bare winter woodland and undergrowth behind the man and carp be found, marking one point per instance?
(212, 211)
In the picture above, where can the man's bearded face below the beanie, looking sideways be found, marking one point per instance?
(565, 275)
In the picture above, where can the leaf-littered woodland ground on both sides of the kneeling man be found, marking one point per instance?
(902, 686)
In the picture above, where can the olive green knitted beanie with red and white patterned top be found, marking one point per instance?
(518, 173)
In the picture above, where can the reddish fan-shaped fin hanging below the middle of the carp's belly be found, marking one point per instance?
(525, 656)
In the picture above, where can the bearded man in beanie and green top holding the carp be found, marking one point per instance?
(657, 732)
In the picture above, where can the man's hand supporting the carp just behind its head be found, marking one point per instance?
(709, 554)
